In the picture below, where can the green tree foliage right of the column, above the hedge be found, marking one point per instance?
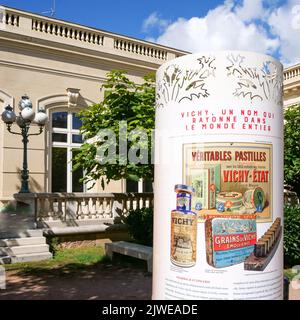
(292, 147)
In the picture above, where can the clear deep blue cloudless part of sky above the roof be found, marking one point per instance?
(120, 16)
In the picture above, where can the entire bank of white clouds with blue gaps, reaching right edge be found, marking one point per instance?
(256, 25)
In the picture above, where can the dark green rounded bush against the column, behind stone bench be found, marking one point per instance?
(140, 225)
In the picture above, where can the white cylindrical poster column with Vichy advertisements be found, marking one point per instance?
(219, 178)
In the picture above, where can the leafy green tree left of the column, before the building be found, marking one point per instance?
(123, 101)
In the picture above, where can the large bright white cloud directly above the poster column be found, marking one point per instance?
(222, 28)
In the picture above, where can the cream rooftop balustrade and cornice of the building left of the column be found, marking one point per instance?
(18, 25)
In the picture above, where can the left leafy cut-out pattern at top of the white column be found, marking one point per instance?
(177, 85)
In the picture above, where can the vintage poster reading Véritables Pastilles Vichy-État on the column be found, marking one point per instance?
(229, 178)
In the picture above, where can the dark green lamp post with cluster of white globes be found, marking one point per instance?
(25, 118)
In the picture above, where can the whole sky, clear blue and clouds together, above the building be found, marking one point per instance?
(268, 26)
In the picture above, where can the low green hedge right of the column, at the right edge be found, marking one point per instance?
(292, 235)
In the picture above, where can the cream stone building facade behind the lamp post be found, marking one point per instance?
(61, 66)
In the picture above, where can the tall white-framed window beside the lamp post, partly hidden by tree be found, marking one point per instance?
(65, 139)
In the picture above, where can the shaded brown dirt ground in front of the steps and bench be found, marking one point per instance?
(121, 279)
